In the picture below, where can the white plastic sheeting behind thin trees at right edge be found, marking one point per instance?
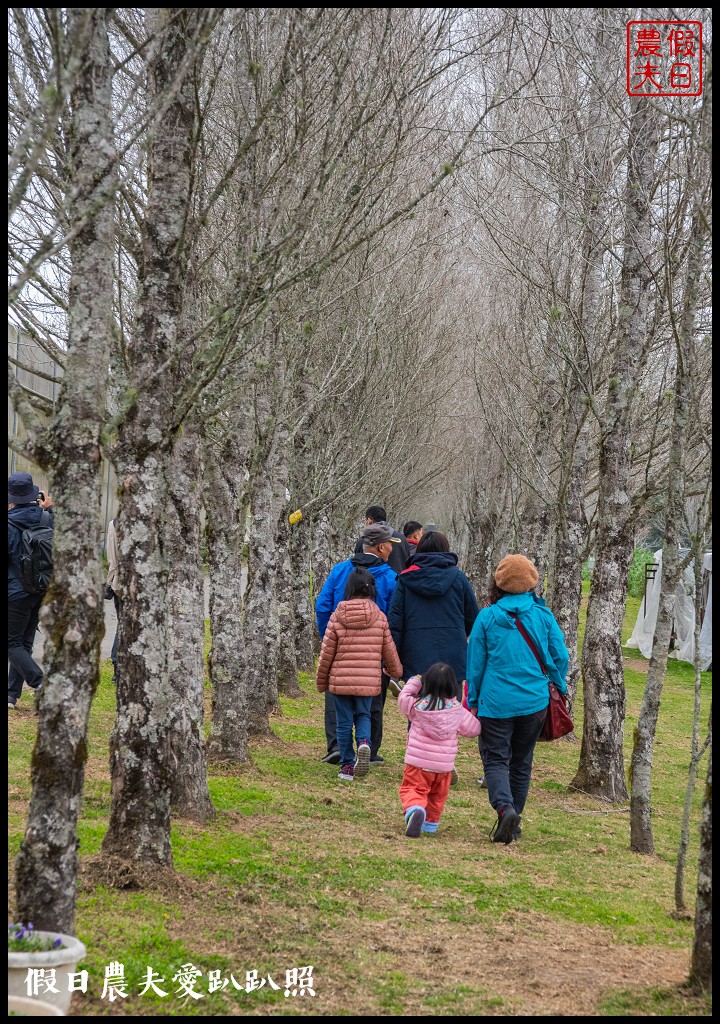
(685, 625)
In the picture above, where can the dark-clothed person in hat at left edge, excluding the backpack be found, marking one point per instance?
(25, 510)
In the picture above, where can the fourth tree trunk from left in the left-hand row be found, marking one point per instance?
(225, 506)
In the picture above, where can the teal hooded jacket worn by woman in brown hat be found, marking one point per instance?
(503, 675)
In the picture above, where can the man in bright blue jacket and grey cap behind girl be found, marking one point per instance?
(378, 542)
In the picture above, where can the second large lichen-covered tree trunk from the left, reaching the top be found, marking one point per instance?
(142, 759)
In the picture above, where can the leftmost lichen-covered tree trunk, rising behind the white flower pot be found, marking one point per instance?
(73, 614)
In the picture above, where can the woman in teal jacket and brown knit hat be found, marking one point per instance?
(507, 689)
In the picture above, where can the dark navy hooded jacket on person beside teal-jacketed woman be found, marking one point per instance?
(432, 614)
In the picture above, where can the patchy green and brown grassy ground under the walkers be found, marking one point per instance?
(302, 870)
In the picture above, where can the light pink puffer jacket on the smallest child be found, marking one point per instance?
(433, 741)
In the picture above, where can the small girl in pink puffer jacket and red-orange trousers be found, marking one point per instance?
(437, 718)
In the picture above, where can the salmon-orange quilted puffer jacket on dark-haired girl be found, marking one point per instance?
(357, 642)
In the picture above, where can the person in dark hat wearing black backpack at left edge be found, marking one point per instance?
(28, 509)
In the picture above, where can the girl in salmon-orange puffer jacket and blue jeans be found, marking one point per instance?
(357, 643)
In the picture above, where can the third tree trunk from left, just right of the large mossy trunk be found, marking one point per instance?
(186, 610)
